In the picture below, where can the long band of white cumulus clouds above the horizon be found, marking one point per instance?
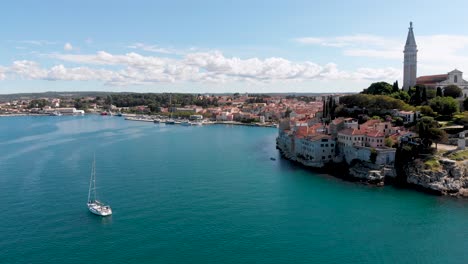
(202, 67)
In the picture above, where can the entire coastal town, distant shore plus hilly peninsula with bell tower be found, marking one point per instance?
(375, 136)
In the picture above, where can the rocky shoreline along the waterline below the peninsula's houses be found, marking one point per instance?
(450, 178)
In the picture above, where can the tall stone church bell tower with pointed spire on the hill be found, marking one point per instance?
(410, 61)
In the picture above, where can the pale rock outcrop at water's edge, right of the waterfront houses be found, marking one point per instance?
(449, 178)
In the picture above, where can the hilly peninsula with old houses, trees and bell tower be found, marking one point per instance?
(387, 134)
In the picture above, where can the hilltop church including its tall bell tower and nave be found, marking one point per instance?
(454, 77)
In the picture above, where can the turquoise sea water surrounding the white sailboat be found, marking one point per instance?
(201, 195)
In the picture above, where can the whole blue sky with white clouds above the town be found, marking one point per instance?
(221, 46)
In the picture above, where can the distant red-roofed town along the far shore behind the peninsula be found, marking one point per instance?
(240, 108)
